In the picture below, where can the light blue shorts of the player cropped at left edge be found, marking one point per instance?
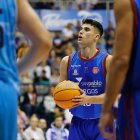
(8, 112)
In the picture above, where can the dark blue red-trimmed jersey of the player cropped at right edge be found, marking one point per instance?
(133, 77)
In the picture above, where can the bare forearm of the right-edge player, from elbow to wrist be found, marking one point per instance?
(115, 80)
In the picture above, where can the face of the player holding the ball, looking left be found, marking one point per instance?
(87, 35)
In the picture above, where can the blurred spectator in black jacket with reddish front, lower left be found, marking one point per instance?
(28, 105)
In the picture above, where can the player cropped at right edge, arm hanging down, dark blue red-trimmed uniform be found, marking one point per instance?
(124, 72)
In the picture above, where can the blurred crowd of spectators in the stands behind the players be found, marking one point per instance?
(39, 118)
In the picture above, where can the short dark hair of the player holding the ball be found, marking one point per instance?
(94, 23)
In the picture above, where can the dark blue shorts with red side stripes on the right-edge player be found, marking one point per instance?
(128, 122)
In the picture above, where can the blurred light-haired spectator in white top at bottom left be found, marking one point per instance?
(33, 132)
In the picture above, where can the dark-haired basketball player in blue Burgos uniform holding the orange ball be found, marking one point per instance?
(87, 67)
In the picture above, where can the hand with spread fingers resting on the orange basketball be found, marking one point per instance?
(82, 99)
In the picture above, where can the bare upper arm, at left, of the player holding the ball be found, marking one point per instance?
(63, 69)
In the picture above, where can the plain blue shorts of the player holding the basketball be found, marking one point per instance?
(85, 129)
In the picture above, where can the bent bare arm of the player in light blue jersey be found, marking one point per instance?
(29, 23)
